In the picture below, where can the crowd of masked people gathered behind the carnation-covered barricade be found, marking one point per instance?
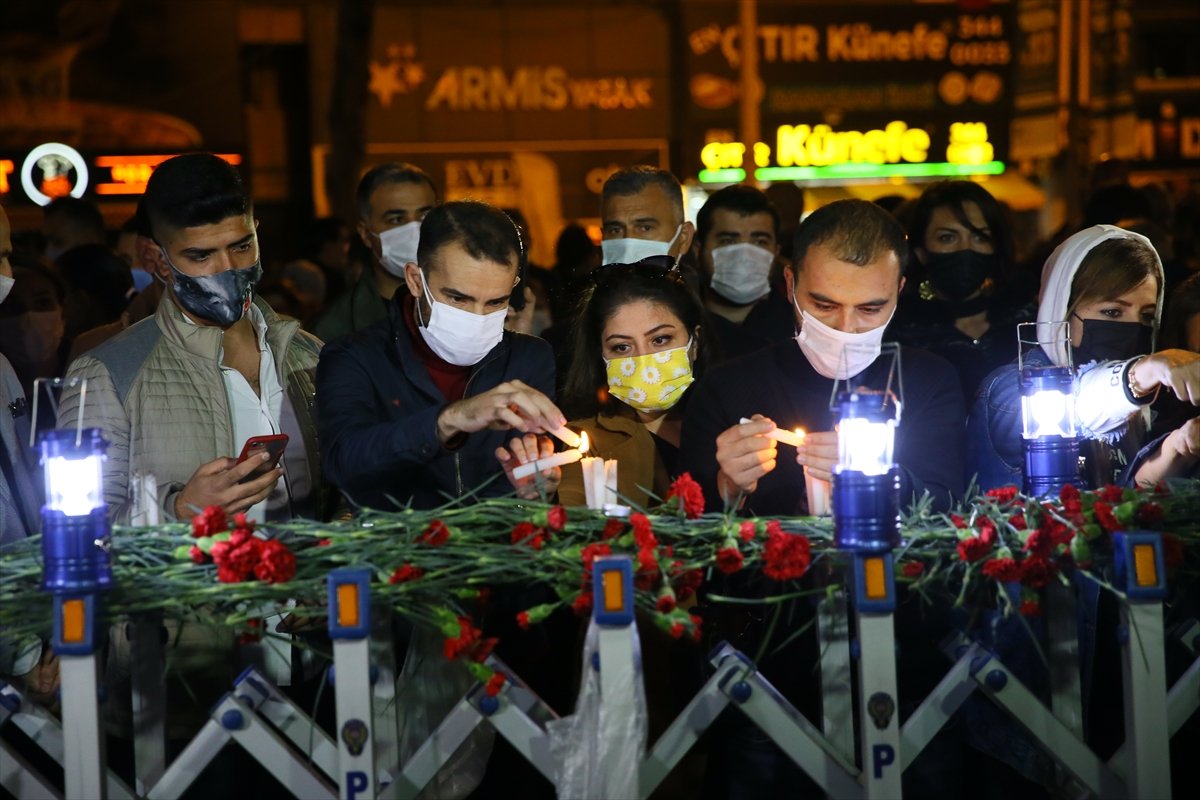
(416, 356)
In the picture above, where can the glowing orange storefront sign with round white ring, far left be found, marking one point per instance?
(52, 171)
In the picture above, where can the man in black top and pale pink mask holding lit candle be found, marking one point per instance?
(844, 290)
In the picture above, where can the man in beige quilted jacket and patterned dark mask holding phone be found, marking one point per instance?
(179, 394)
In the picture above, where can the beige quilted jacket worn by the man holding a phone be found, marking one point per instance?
(158, 394)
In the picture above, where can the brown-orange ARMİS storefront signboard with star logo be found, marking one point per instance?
(501, 75)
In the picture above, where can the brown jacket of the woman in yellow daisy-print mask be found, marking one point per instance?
(639, 468)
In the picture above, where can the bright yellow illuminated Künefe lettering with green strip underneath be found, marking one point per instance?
(820, 153)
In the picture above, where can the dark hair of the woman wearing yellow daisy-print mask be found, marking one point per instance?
(610, 288)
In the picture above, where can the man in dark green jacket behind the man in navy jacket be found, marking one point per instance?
(393, 200)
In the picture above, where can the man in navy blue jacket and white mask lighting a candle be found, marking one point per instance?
(418, 408)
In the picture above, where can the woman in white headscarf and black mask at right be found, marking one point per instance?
(1107, 285)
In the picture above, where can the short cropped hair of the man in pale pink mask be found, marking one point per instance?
(859, 232)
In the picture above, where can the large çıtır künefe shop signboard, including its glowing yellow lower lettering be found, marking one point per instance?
(841, 82)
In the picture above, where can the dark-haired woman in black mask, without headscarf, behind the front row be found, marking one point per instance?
(962, 302)
